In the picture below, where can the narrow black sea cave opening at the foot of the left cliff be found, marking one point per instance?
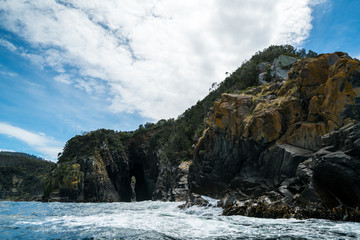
(137, 179)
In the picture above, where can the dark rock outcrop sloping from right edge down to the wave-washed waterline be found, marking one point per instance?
(326, 185)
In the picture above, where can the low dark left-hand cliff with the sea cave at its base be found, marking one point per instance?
(99, 167)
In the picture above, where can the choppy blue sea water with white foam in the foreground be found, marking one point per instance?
(154, 220)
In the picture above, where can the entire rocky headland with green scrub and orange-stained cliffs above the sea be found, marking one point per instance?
(287, 147)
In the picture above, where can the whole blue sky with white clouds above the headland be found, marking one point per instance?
(68, 67)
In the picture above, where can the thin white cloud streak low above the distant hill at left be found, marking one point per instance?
(40, 142)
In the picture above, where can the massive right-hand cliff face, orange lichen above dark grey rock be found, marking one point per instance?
(269, 141)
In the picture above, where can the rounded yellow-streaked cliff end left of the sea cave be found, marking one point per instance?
(96, 176)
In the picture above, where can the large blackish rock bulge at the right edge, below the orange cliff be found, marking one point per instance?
(336, 170)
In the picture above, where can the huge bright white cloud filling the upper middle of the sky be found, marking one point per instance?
(156, 57)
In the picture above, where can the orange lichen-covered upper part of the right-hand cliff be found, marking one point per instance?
(321, 94)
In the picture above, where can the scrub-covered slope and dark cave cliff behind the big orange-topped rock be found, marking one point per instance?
(98, 166)
